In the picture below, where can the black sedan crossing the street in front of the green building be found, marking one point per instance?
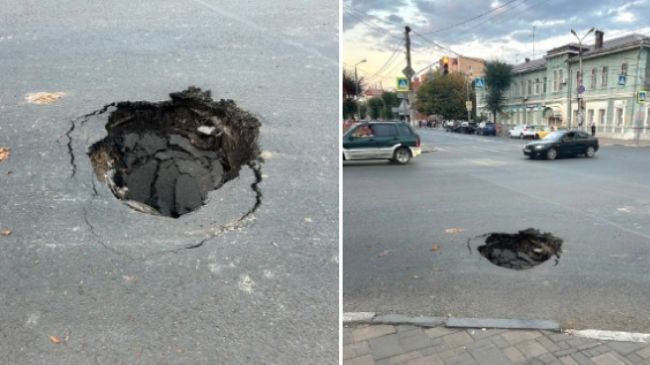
(562, 143)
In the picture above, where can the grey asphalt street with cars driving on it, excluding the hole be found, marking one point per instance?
(600, 207)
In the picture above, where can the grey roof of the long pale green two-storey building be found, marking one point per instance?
(589, 51)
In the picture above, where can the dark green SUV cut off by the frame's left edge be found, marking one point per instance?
(394, 141)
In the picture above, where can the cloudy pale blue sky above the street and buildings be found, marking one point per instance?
(490, 29)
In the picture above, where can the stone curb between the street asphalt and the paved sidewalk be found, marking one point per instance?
(356, 318)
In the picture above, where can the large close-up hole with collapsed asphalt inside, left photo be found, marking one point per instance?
(164, 157)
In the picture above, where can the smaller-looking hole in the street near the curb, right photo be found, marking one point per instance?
(522, 250)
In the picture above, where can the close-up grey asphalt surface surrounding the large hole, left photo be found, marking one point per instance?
(216, 285)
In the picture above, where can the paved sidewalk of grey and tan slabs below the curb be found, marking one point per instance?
(413, 345)
